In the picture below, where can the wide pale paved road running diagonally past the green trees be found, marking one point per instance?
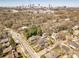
(23, 43)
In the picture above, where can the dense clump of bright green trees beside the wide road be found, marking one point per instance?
(34, 30)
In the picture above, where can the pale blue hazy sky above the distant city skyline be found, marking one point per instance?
(71, 3)
